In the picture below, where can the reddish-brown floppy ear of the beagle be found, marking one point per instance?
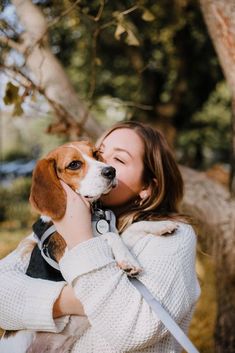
(47, 195)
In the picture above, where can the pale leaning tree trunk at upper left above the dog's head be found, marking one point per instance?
(47, 72)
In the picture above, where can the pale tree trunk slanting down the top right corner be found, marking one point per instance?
(219, 16)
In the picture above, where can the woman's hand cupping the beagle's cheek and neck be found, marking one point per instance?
(75, 226)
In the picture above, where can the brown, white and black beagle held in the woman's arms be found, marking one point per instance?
(78, 165)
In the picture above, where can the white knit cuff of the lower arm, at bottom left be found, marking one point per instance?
(40, 299)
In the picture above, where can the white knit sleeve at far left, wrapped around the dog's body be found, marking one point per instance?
(25, 302)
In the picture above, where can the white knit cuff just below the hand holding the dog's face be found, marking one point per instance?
(87, 256)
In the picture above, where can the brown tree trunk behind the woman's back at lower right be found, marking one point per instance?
(210, 205)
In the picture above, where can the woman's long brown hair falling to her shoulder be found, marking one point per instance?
(160, 172)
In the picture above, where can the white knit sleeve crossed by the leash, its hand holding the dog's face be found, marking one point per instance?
(114, 306)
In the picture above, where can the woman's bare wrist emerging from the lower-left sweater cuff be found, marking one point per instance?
(67, 304)
